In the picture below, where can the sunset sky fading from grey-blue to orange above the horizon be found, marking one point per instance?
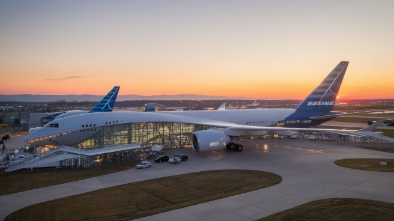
(253, 49)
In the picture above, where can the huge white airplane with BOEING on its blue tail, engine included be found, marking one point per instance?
(228, 124)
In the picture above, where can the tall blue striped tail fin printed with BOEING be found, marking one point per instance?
(322, 99)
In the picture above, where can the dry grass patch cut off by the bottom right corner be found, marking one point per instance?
(337, 209)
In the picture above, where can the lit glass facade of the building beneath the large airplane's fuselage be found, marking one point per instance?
(169, 134)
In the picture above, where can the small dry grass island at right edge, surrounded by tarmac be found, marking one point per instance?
(367, 164)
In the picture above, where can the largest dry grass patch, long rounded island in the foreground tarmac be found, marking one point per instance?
(150, 197)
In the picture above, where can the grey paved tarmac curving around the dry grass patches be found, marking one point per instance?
(307, 168)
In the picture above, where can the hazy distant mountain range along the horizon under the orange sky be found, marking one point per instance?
(87, 97)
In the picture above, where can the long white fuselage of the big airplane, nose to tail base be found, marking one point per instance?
(74, 129)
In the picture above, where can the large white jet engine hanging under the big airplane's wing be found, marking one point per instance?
(209, 140)
